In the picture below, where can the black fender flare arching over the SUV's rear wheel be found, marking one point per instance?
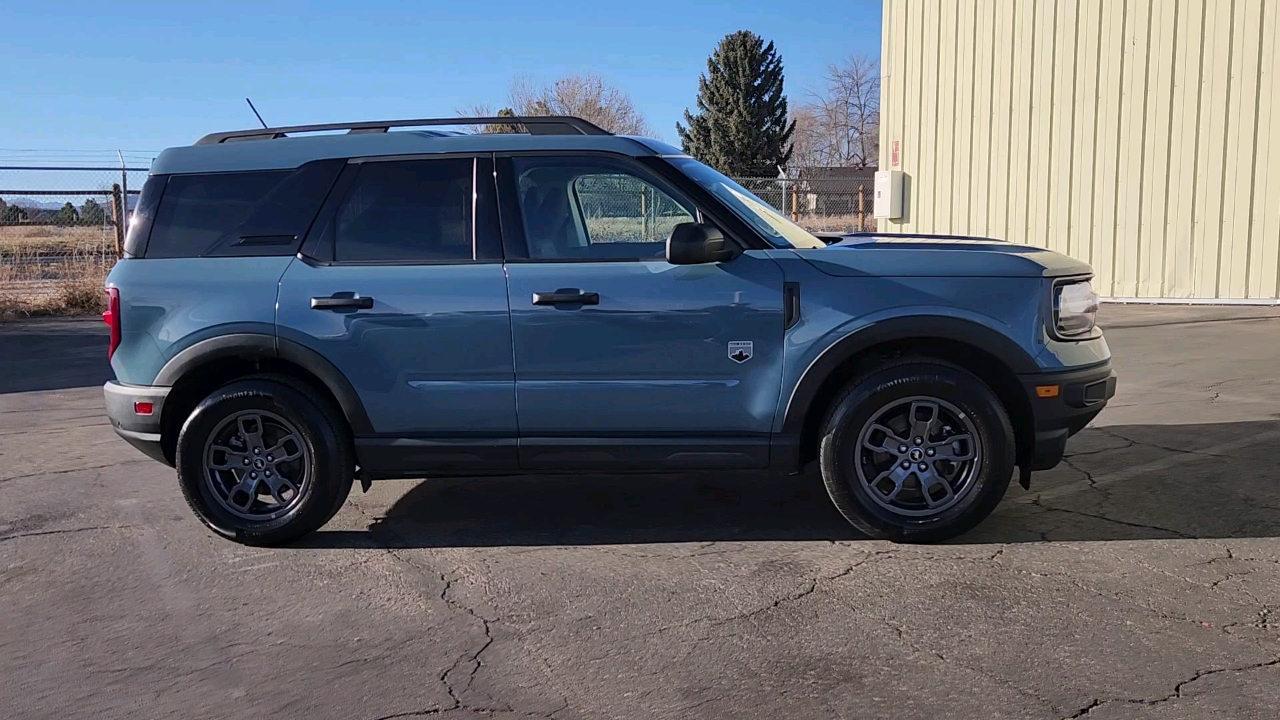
(257, 347)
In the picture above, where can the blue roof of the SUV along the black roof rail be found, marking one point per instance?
(285, 153)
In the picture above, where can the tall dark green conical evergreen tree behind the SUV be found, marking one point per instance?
(742, 126)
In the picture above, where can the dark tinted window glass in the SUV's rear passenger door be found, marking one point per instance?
(408, 212)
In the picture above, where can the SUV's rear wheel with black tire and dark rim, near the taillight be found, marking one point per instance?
(263, 462)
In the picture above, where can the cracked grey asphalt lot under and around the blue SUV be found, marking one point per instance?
(1140, 580)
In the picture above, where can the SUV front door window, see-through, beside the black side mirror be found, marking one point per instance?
(595, 209)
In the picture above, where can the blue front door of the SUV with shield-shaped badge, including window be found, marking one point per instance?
(624, 361)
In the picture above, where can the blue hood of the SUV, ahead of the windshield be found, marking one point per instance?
(915, 257)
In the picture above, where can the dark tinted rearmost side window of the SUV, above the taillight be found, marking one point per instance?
(198, 211)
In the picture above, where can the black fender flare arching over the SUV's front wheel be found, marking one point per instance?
(916, 327)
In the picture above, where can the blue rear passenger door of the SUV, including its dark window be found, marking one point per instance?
(401, 286)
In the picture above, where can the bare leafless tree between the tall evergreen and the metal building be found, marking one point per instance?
(840, 127)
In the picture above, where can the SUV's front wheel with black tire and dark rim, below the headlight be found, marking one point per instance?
(917, 452)
